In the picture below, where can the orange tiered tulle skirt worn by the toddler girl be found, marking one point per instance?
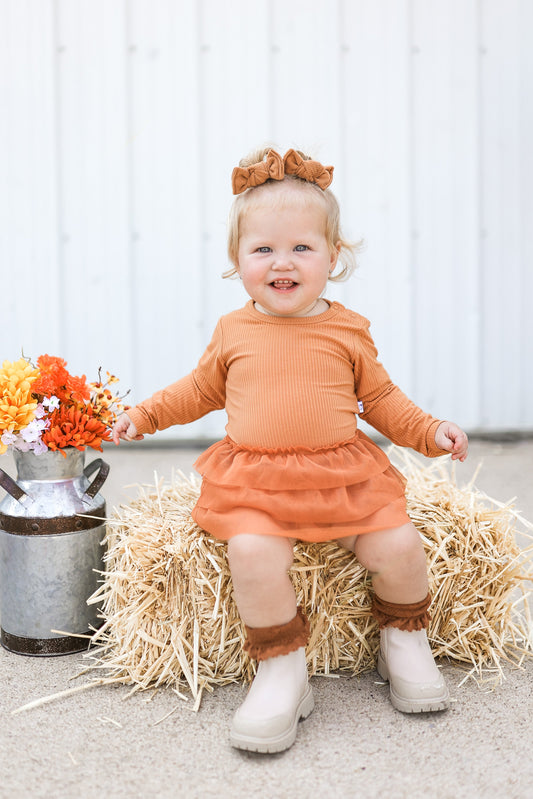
(311, 495)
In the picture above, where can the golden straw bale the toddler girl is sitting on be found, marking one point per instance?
(170, 618)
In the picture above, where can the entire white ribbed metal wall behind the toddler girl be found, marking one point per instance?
(122, 119)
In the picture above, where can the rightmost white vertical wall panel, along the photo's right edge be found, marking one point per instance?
(506, 175)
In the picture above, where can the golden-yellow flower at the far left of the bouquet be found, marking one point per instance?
(17, 406)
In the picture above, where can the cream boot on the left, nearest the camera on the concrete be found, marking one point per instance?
(278, 698)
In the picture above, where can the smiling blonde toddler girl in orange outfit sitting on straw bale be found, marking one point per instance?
(293, 370)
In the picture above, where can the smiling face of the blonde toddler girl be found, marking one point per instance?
(284, 258)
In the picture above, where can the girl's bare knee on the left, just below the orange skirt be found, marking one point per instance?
(251, 556)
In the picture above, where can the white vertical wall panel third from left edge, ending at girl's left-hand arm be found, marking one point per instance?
(166, 227)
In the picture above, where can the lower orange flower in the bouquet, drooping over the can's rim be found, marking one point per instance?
(72, 427)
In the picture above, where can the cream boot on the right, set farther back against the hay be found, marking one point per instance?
(406, 661)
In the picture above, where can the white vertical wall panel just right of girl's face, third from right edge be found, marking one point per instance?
(376, 167)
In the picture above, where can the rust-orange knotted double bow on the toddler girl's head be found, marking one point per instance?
(274, 167)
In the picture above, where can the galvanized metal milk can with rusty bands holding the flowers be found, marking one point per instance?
(52, 525)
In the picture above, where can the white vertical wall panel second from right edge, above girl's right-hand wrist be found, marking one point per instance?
(445, 152)
